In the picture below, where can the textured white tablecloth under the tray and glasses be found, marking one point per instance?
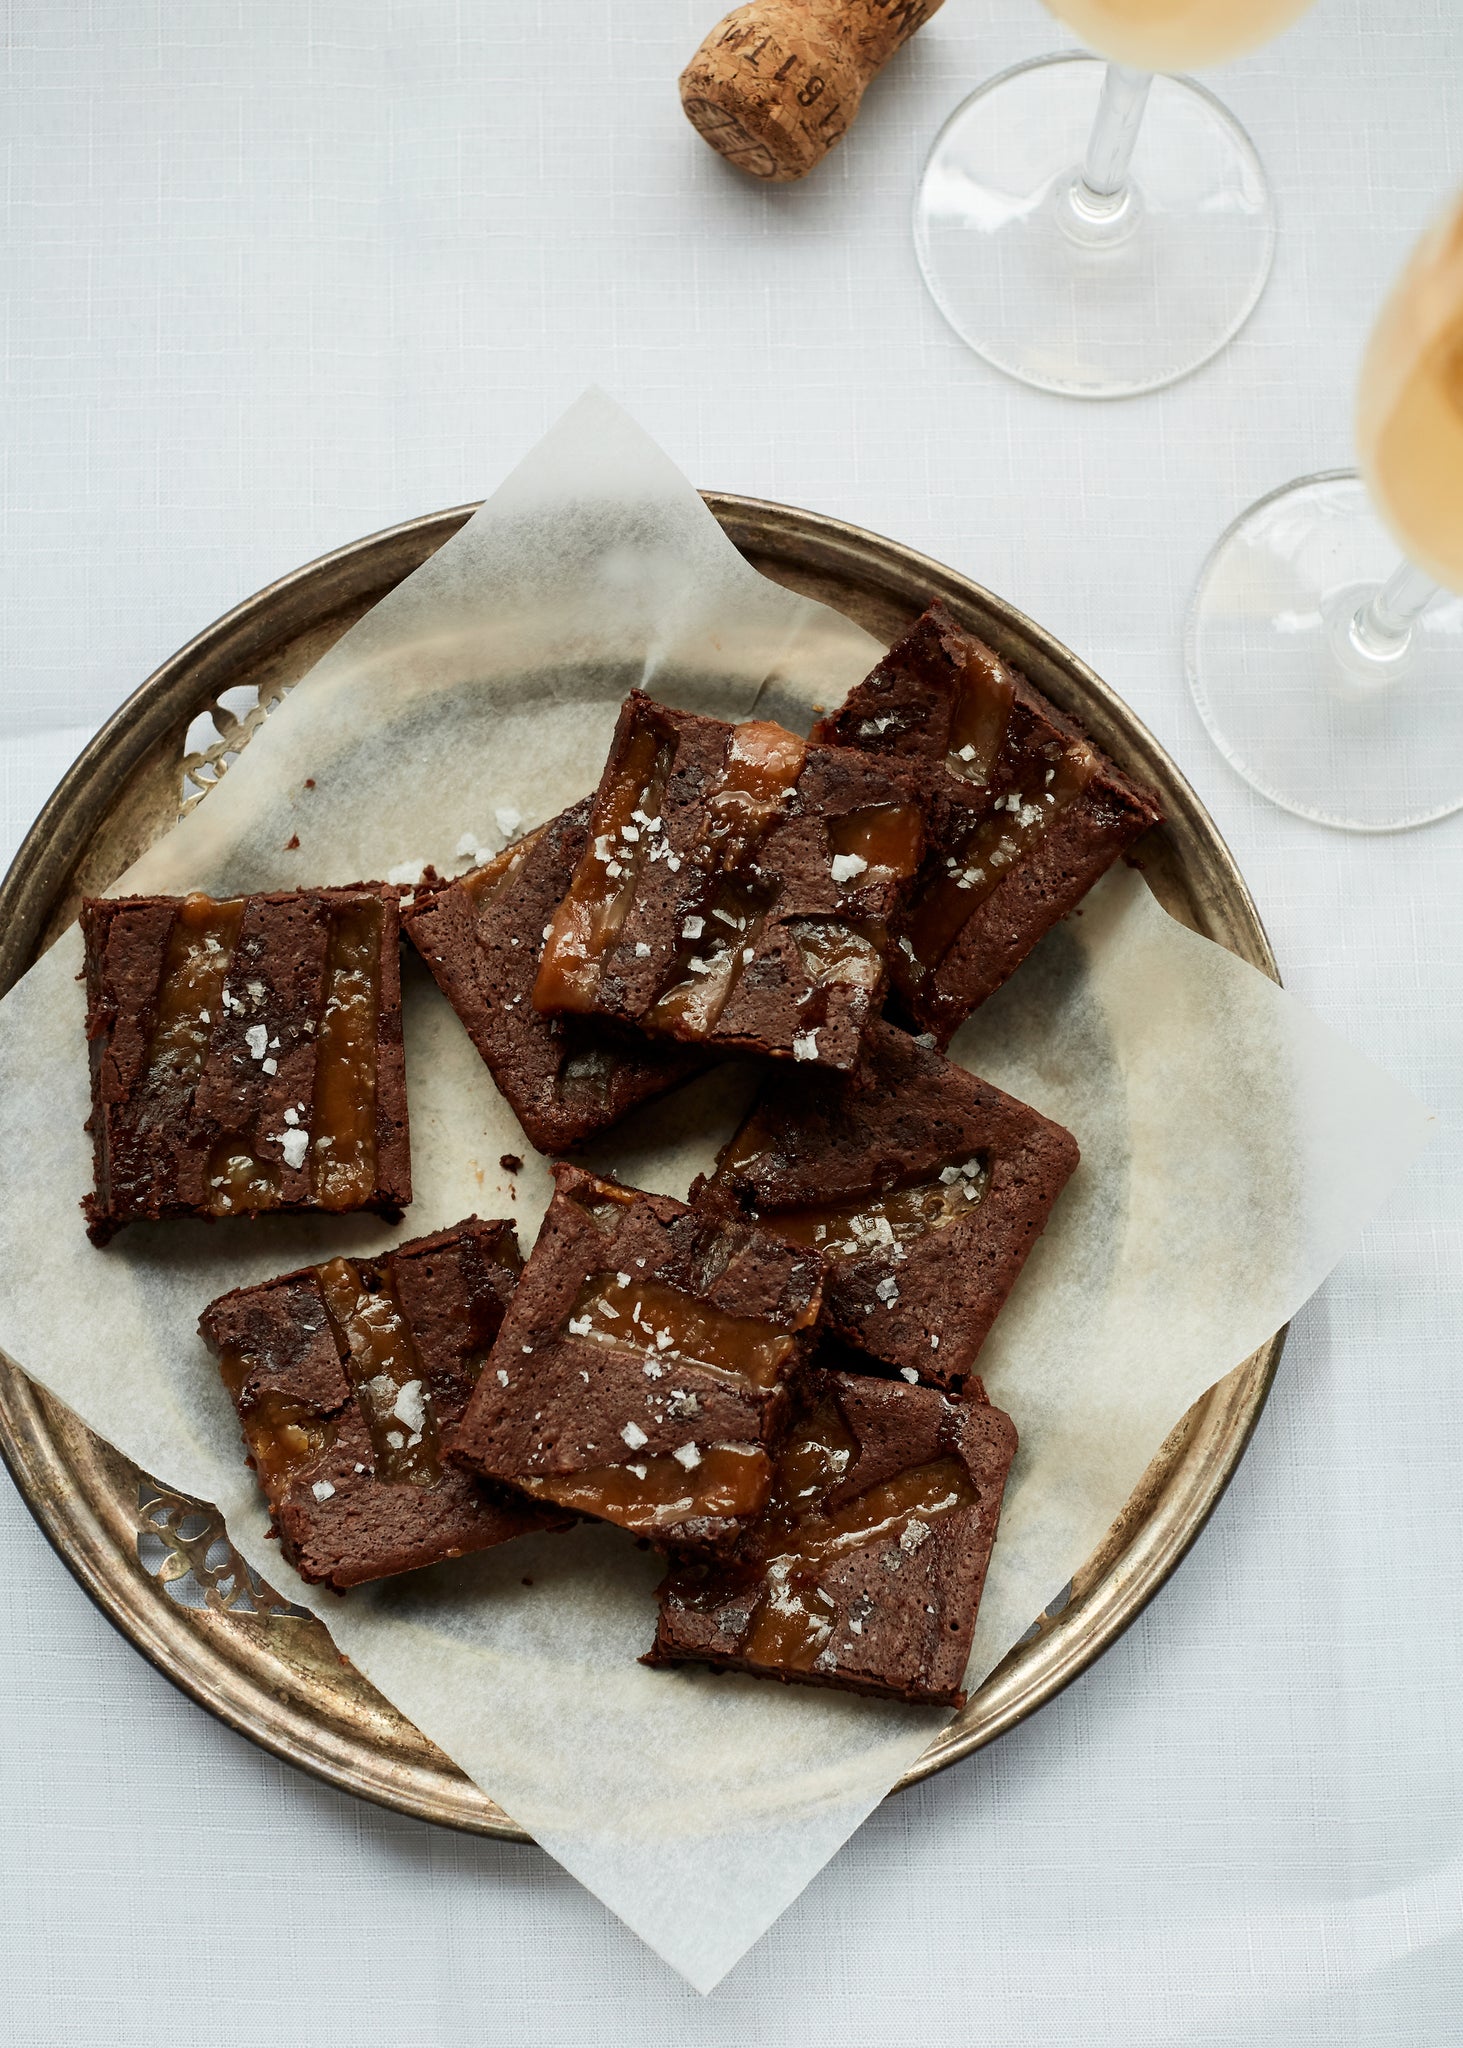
(284, 271)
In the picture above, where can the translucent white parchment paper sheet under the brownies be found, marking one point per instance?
(1232, 1150)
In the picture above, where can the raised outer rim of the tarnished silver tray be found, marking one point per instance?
(1134, 1562)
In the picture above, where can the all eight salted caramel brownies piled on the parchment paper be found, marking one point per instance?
(774, 1381)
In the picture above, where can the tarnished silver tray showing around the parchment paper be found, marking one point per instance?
(159, 1566)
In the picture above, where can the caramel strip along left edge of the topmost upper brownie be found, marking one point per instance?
(624, 830)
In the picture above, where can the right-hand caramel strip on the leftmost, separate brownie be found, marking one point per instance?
(343, 1127)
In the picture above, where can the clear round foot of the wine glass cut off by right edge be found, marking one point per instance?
(1298, 703)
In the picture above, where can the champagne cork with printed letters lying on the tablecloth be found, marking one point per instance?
(780, 81)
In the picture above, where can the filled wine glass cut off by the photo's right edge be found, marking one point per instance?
(1329, 673)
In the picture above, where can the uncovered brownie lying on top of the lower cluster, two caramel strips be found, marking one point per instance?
(642, 1369)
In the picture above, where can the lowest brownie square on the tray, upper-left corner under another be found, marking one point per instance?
(868, 1568)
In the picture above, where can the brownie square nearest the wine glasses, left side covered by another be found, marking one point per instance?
(1023, 814)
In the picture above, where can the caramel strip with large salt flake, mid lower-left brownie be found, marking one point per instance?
(382, 1363)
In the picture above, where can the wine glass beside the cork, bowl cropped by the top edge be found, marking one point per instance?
(1093, 228)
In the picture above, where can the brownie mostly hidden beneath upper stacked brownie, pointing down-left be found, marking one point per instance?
(483, 935)
